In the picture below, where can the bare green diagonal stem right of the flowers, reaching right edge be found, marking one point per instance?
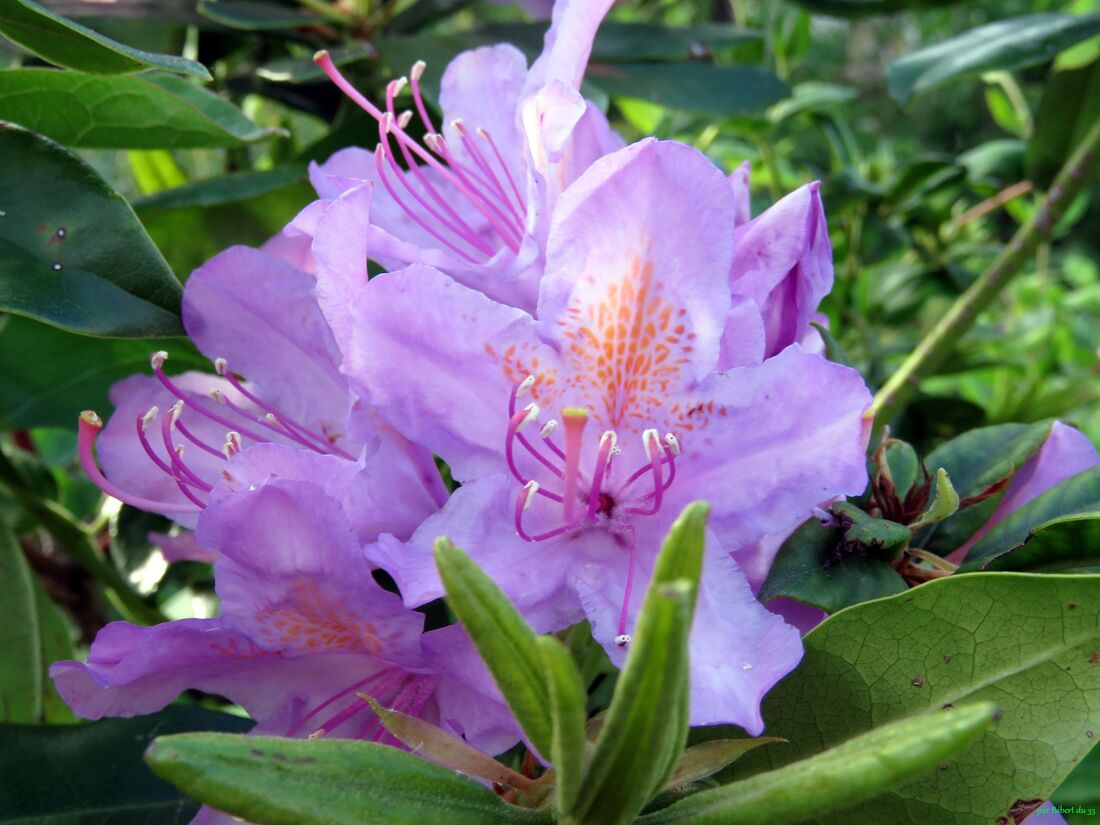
(941, 342)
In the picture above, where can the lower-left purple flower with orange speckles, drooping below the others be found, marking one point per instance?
(304, 626)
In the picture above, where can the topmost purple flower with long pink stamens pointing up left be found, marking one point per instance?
(475, 197)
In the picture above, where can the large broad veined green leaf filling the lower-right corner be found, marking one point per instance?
(1026, 643)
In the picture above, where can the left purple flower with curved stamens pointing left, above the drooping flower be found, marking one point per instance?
(255, 314)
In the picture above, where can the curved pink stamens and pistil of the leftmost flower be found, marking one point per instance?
(263, 423)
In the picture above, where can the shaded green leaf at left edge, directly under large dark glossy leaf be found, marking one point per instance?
(52, 392)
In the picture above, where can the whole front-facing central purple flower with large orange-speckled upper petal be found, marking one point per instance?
(640, 339)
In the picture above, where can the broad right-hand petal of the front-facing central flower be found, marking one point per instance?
(767, 444)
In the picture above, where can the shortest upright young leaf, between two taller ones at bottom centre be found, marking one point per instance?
(568, 699)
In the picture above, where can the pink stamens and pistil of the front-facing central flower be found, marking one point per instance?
(588, 501)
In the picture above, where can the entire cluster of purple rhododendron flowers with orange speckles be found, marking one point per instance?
(589, 335)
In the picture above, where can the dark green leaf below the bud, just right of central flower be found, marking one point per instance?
(809, 569)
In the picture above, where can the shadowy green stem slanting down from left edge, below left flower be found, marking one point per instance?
(74, 540)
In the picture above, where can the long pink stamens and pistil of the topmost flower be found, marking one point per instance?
(482, 179)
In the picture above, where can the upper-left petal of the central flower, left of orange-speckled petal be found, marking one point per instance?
(469, 354)
